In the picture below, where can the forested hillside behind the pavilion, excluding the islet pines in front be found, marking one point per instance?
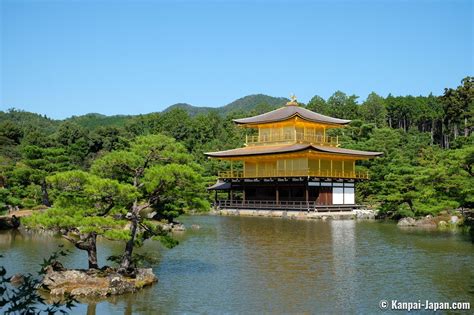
(427, 141)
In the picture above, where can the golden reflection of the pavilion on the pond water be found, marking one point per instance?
(290, 264)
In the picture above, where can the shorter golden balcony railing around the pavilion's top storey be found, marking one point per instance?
(293, 137)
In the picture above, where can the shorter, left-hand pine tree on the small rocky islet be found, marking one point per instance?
(84, 205)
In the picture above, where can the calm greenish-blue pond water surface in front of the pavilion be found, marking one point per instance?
(254, 265)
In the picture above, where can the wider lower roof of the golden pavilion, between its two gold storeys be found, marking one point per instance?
(289, 148)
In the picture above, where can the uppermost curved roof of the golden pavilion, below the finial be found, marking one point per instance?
(290, 111)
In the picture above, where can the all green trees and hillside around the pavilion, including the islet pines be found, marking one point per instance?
(129, 179)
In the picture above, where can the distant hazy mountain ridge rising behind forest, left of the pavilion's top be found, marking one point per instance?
(246, 104)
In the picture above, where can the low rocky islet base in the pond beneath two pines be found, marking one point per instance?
(95, 283)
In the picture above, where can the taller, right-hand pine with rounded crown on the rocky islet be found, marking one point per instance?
(167, 179)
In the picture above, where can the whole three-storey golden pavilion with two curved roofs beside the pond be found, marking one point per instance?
(290, 163)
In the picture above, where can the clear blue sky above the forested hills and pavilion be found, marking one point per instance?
(63, 58)
